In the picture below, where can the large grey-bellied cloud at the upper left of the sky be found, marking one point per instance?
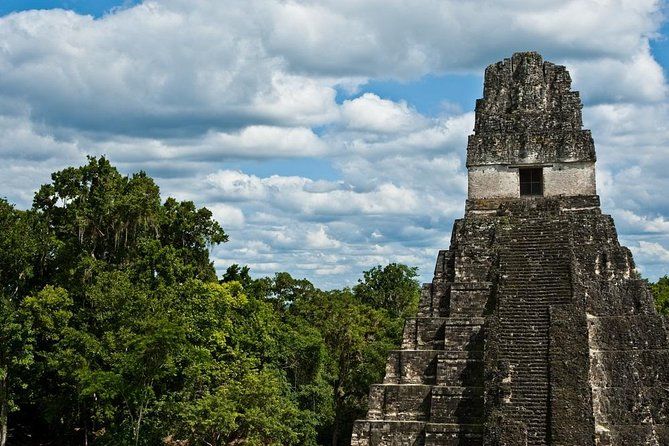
(143, 69)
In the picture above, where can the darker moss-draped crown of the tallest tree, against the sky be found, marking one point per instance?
(99, 215)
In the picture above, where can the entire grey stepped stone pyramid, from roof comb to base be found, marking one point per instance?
(536, 329)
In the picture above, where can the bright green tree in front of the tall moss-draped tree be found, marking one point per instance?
(138, 337)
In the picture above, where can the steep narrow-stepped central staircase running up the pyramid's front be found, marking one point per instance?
(534, 275)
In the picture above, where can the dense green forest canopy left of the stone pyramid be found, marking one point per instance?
(115, 329)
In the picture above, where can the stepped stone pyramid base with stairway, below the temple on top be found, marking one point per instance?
(534, 331)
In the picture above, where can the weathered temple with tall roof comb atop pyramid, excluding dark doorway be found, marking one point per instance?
(529, 116)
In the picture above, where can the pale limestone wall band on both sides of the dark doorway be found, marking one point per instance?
(501, 181)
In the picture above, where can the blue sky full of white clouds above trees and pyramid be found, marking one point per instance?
(328, 136)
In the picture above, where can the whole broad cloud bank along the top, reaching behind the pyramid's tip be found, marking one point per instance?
(174, 67)
